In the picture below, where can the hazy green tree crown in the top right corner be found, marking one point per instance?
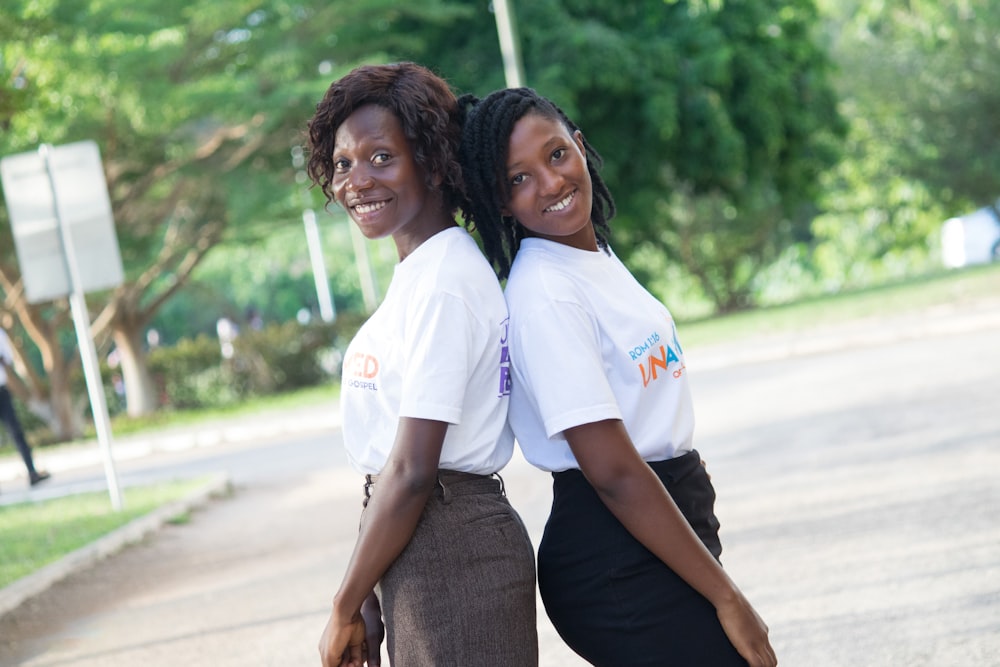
(929, 70)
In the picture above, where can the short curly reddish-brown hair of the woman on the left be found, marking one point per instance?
(426, 109)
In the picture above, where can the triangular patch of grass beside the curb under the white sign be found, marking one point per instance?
(35, 534)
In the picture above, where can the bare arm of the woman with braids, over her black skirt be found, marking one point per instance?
(633, 493)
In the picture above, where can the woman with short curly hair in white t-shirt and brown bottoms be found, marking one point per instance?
(424, 394)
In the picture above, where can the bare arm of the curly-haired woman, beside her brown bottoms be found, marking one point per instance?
(402, 491)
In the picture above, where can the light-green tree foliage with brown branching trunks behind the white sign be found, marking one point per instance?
(195, 108)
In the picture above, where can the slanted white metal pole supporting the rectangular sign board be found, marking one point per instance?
(88, 353)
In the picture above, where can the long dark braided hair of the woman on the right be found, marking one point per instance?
(486, 130)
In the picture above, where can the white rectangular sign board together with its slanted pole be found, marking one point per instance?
(64, 235)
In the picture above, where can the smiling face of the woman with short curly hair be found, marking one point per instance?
(377, 180)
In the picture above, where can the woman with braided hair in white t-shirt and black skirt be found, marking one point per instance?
(628, 564)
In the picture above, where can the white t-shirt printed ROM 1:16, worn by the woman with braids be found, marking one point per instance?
(589, 343)
